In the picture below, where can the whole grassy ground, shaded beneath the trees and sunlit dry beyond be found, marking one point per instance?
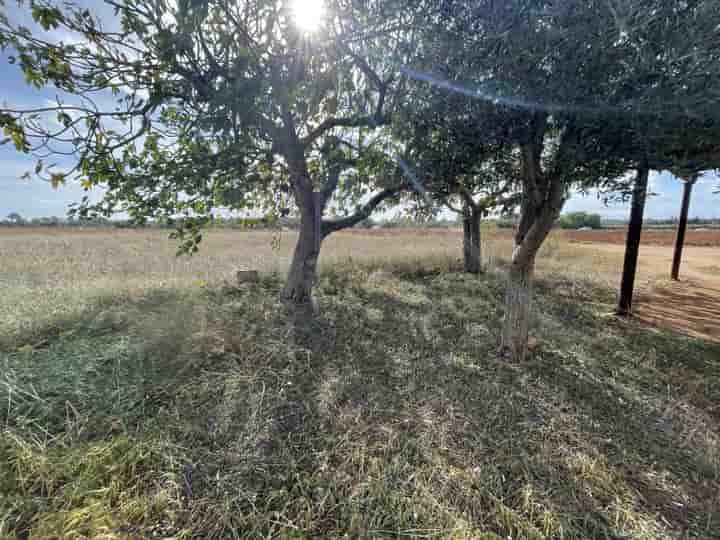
(142, 396)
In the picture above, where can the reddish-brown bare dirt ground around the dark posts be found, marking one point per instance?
(690, 306)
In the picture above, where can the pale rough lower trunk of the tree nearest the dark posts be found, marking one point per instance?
(518, 302)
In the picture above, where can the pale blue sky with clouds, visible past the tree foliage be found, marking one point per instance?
(35, 198)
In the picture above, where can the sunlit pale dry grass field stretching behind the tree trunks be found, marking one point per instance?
(50, 276)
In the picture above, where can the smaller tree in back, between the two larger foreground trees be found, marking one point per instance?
(460, 159)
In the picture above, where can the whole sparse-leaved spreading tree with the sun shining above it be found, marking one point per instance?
(220, 103)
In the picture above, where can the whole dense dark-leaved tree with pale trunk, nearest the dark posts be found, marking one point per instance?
(578, 83)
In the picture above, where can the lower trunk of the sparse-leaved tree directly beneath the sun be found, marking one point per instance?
(303, 270)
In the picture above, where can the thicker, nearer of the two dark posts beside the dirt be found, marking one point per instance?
(632, 248)
